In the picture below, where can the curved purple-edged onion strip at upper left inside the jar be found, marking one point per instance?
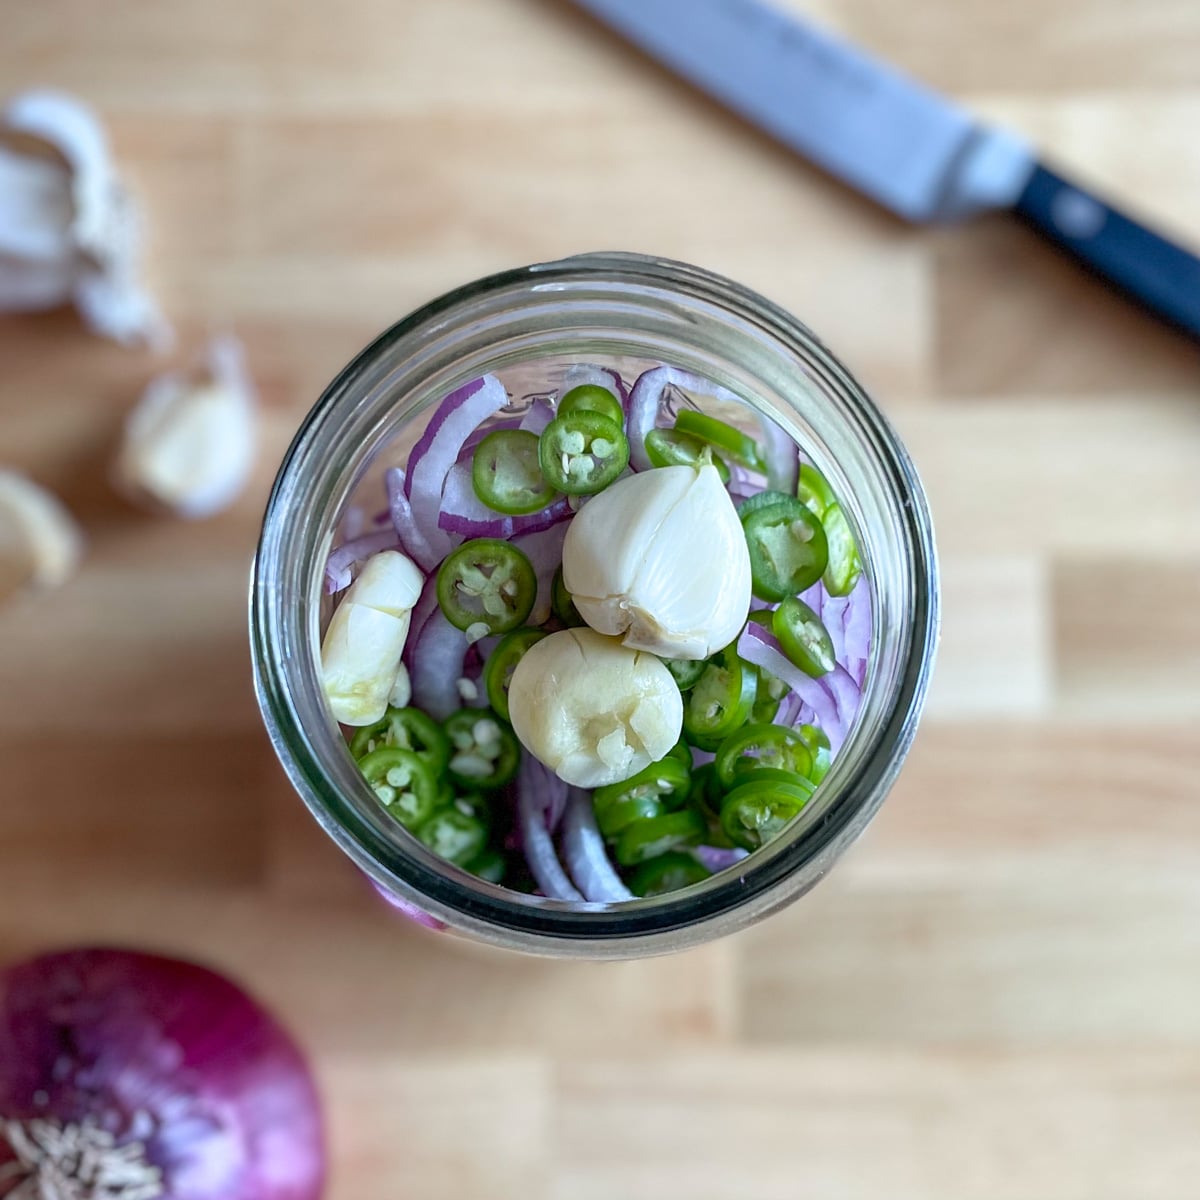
(457, 418)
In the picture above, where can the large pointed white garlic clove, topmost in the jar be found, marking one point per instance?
(661, 559)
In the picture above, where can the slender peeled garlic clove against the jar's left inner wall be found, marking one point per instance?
(361, 653)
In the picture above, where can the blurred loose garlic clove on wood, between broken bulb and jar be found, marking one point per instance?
(190, 443)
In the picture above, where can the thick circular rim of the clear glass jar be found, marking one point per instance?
(773, 877)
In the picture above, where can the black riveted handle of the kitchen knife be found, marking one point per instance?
(1154, 272)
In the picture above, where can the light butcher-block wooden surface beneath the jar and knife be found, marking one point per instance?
(995, 998)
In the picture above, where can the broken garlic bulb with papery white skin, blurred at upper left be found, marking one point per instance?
(69, 230)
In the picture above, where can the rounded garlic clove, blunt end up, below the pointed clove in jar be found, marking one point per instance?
(592, 710)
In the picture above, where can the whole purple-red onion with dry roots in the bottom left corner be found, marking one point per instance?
(130, 1077)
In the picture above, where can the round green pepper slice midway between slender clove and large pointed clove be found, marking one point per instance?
(488, 583)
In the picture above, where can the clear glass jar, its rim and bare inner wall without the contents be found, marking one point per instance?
(525, 326)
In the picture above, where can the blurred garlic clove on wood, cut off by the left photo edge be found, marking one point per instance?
(40, 542)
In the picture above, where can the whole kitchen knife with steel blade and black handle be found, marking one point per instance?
(896, 141)
